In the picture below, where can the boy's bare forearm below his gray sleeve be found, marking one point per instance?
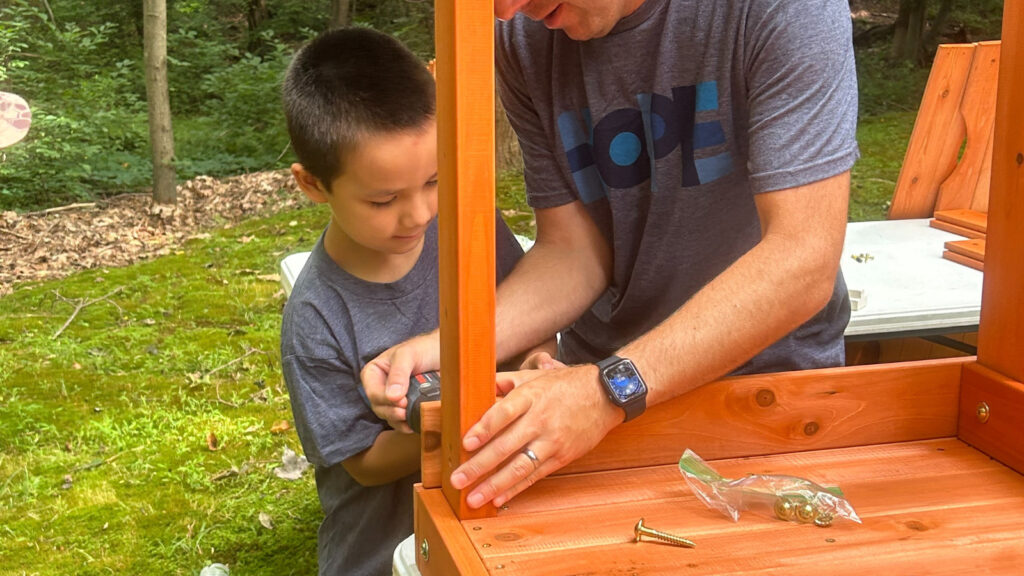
(393, 457)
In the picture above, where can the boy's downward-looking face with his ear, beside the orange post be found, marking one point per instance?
(387, 195)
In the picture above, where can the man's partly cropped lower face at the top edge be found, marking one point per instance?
(580, 20)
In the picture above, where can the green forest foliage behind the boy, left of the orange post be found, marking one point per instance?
(91, 137)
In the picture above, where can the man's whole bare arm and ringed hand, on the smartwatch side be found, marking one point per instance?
(780, 284)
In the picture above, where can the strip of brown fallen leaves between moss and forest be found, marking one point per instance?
(127, 229)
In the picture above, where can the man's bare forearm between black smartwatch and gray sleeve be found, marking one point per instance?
(769, 293)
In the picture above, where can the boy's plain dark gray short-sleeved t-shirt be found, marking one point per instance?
(333, 324)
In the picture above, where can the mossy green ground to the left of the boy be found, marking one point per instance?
(122, 403)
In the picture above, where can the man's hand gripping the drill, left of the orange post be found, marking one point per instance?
(386, 379)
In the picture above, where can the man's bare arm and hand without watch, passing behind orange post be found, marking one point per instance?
(557, 281)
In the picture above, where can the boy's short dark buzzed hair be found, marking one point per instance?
(348, 84)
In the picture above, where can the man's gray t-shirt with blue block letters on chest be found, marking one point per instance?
(666, 129)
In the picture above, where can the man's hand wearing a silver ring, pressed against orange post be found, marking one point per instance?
(559, 415)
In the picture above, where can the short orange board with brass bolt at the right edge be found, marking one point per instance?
(1003, 435)
